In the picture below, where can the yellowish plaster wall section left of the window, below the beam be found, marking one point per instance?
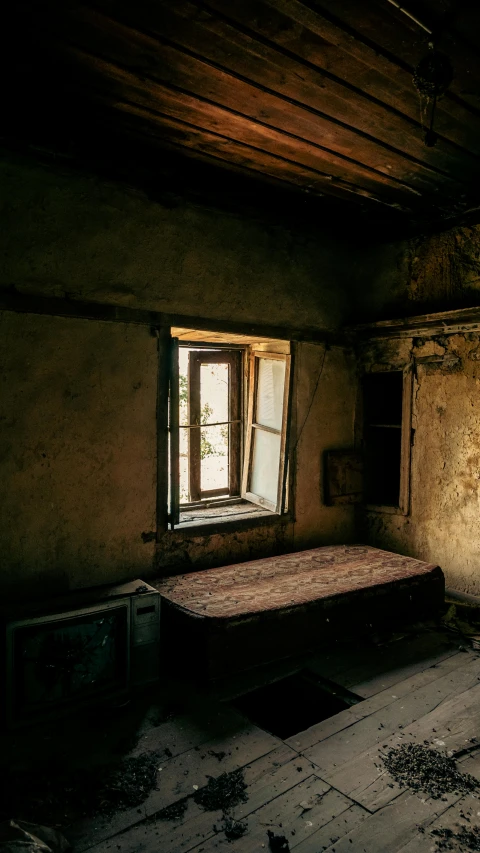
(77, 452)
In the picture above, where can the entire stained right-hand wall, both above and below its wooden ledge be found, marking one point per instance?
(406, 278)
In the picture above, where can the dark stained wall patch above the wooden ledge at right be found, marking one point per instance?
(425, 274)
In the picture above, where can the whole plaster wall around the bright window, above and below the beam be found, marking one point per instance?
(78, 406)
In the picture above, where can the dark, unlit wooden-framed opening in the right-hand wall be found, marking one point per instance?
(386, 435)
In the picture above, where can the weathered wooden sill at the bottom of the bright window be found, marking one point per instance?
(223, 518)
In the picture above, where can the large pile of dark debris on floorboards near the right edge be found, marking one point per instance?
(420, 768)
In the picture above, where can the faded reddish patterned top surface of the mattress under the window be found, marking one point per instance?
(279, 583)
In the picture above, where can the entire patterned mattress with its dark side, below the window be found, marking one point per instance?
(242, 615)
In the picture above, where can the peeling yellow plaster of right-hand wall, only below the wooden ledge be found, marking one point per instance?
(444, 523)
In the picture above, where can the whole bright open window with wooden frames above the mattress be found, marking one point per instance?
(228, 430)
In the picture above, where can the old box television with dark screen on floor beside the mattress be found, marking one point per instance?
(70, 657)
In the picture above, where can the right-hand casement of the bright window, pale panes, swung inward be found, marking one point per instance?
(265, 450)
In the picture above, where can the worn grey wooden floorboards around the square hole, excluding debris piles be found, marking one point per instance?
(325, 789)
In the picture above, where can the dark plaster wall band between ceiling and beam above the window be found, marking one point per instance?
(67, 234)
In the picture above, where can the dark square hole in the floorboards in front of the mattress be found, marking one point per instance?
(293, 704)
